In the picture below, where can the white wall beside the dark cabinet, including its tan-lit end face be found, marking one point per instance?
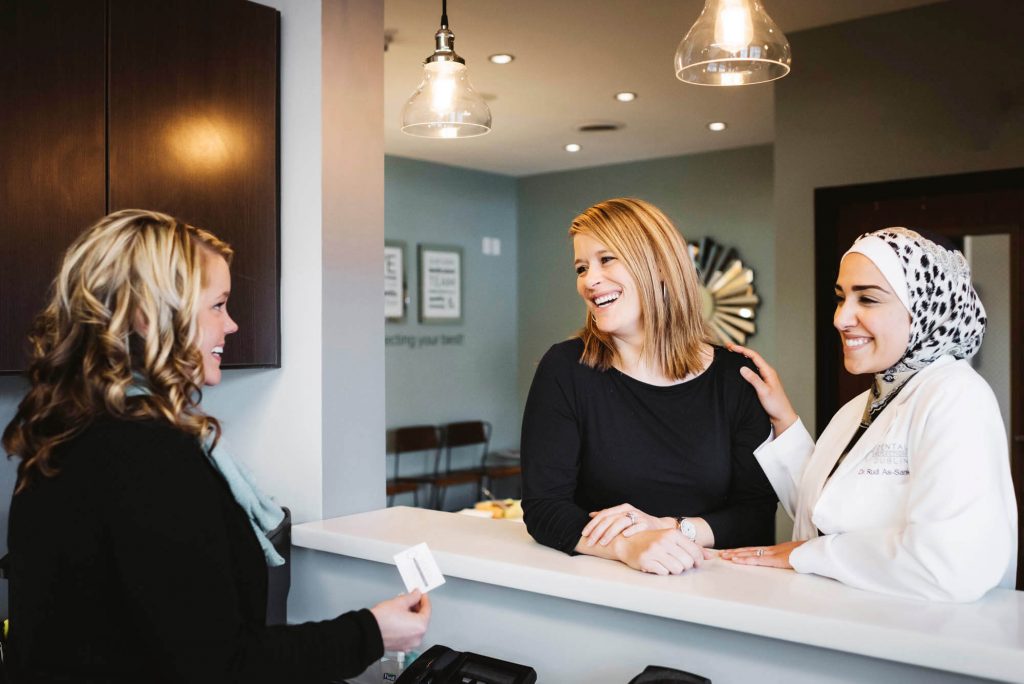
(313, 432)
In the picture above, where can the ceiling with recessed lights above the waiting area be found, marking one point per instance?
(571, 59)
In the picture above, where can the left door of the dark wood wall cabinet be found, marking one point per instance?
(53, 150)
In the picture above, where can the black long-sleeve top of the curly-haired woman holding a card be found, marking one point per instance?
(137, 565)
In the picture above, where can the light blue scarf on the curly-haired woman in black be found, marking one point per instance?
(264, 514)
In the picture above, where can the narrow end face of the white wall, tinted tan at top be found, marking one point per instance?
(354, 256)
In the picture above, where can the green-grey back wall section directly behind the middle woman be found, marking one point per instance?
(724, 195)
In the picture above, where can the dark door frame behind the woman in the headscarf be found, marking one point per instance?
(828, 205)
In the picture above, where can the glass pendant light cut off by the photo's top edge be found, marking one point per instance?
(734, 42)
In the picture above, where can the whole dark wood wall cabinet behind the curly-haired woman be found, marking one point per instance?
(118, 104)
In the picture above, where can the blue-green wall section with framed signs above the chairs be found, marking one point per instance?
(476, 378)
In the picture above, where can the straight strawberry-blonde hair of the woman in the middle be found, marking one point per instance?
(656, 255)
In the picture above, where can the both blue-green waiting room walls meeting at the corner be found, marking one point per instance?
(520, 304)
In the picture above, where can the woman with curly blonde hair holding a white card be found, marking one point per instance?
(139, 549)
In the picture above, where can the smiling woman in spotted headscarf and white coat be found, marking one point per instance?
(908, 492)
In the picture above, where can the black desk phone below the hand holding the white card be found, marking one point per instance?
(441, 665)
